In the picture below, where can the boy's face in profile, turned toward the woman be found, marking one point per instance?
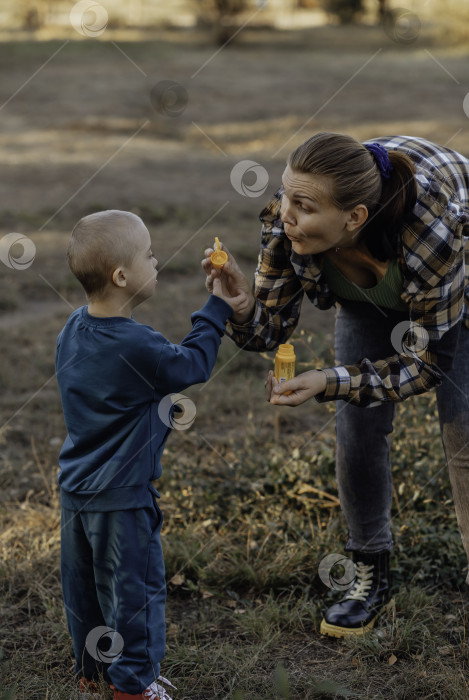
(141, 274)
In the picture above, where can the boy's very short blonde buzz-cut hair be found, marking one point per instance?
(99, 244)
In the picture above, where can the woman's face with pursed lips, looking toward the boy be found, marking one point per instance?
(311, 220)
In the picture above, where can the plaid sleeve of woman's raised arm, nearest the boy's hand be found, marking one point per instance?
(277, 289)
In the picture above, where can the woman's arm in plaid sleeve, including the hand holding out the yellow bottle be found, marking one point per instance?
(435, 283)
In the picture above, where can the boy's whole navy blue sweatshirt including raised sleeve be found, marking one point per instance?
(112, 374)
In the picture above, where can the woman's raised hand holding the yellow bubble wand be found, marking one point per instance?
(232, 284)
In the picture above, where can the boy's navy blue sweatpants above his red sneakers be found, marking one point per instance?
(113, 577)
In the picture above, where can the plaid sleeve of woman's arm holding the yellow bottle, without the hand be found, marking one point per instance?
(432, 261)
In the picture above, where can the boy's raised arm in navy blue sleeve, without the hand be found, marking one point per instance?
(192, 361)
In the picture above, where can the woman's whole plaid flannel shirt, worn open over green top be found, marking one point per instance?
(430, 257)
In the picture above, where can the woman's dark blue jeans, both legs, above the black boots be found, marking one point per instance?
(362, 451)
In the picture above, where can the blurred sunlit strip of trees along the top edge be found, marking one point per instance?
(226, 16)
